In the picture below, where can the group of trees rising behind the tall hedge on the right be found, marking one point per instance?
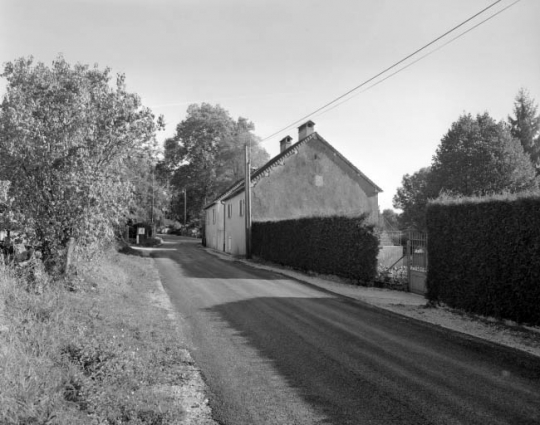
(477, 156)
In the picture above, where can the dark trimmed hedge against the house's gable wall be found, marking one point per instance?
(341, 246)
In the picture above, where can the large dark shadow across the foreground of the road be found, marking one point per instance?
(359, 365)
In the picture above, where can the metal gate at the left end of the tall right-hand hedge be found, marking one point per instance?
(417, 262)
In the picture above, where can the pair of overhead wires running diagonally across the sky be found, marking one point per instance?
(396, 64)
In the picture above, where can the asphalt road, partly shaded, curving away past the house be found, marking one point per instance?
(276, 351)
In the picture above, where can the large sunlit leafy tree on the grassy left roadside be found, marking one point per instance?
(68, 137)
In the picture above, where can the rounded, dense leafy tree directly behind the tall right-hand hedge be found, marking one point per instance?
(479, 156)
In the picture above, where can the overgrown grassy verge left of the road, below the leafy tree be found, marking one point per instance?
(104, 353)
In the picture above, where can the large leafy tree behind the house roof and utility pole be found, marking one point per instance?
(206, 155)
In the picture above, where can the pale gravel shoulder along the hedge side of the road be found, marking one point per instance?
(501, 332)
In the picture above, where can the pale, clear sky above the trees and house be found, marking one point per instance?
(275, 61)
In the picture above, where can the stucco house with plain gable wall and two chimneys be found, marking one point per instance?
(308, 178)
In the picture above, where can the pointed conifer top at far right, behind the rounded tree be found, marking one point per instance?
(525, 126)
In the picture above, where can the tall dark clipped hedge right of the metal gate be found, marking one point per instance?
(484, 256)
